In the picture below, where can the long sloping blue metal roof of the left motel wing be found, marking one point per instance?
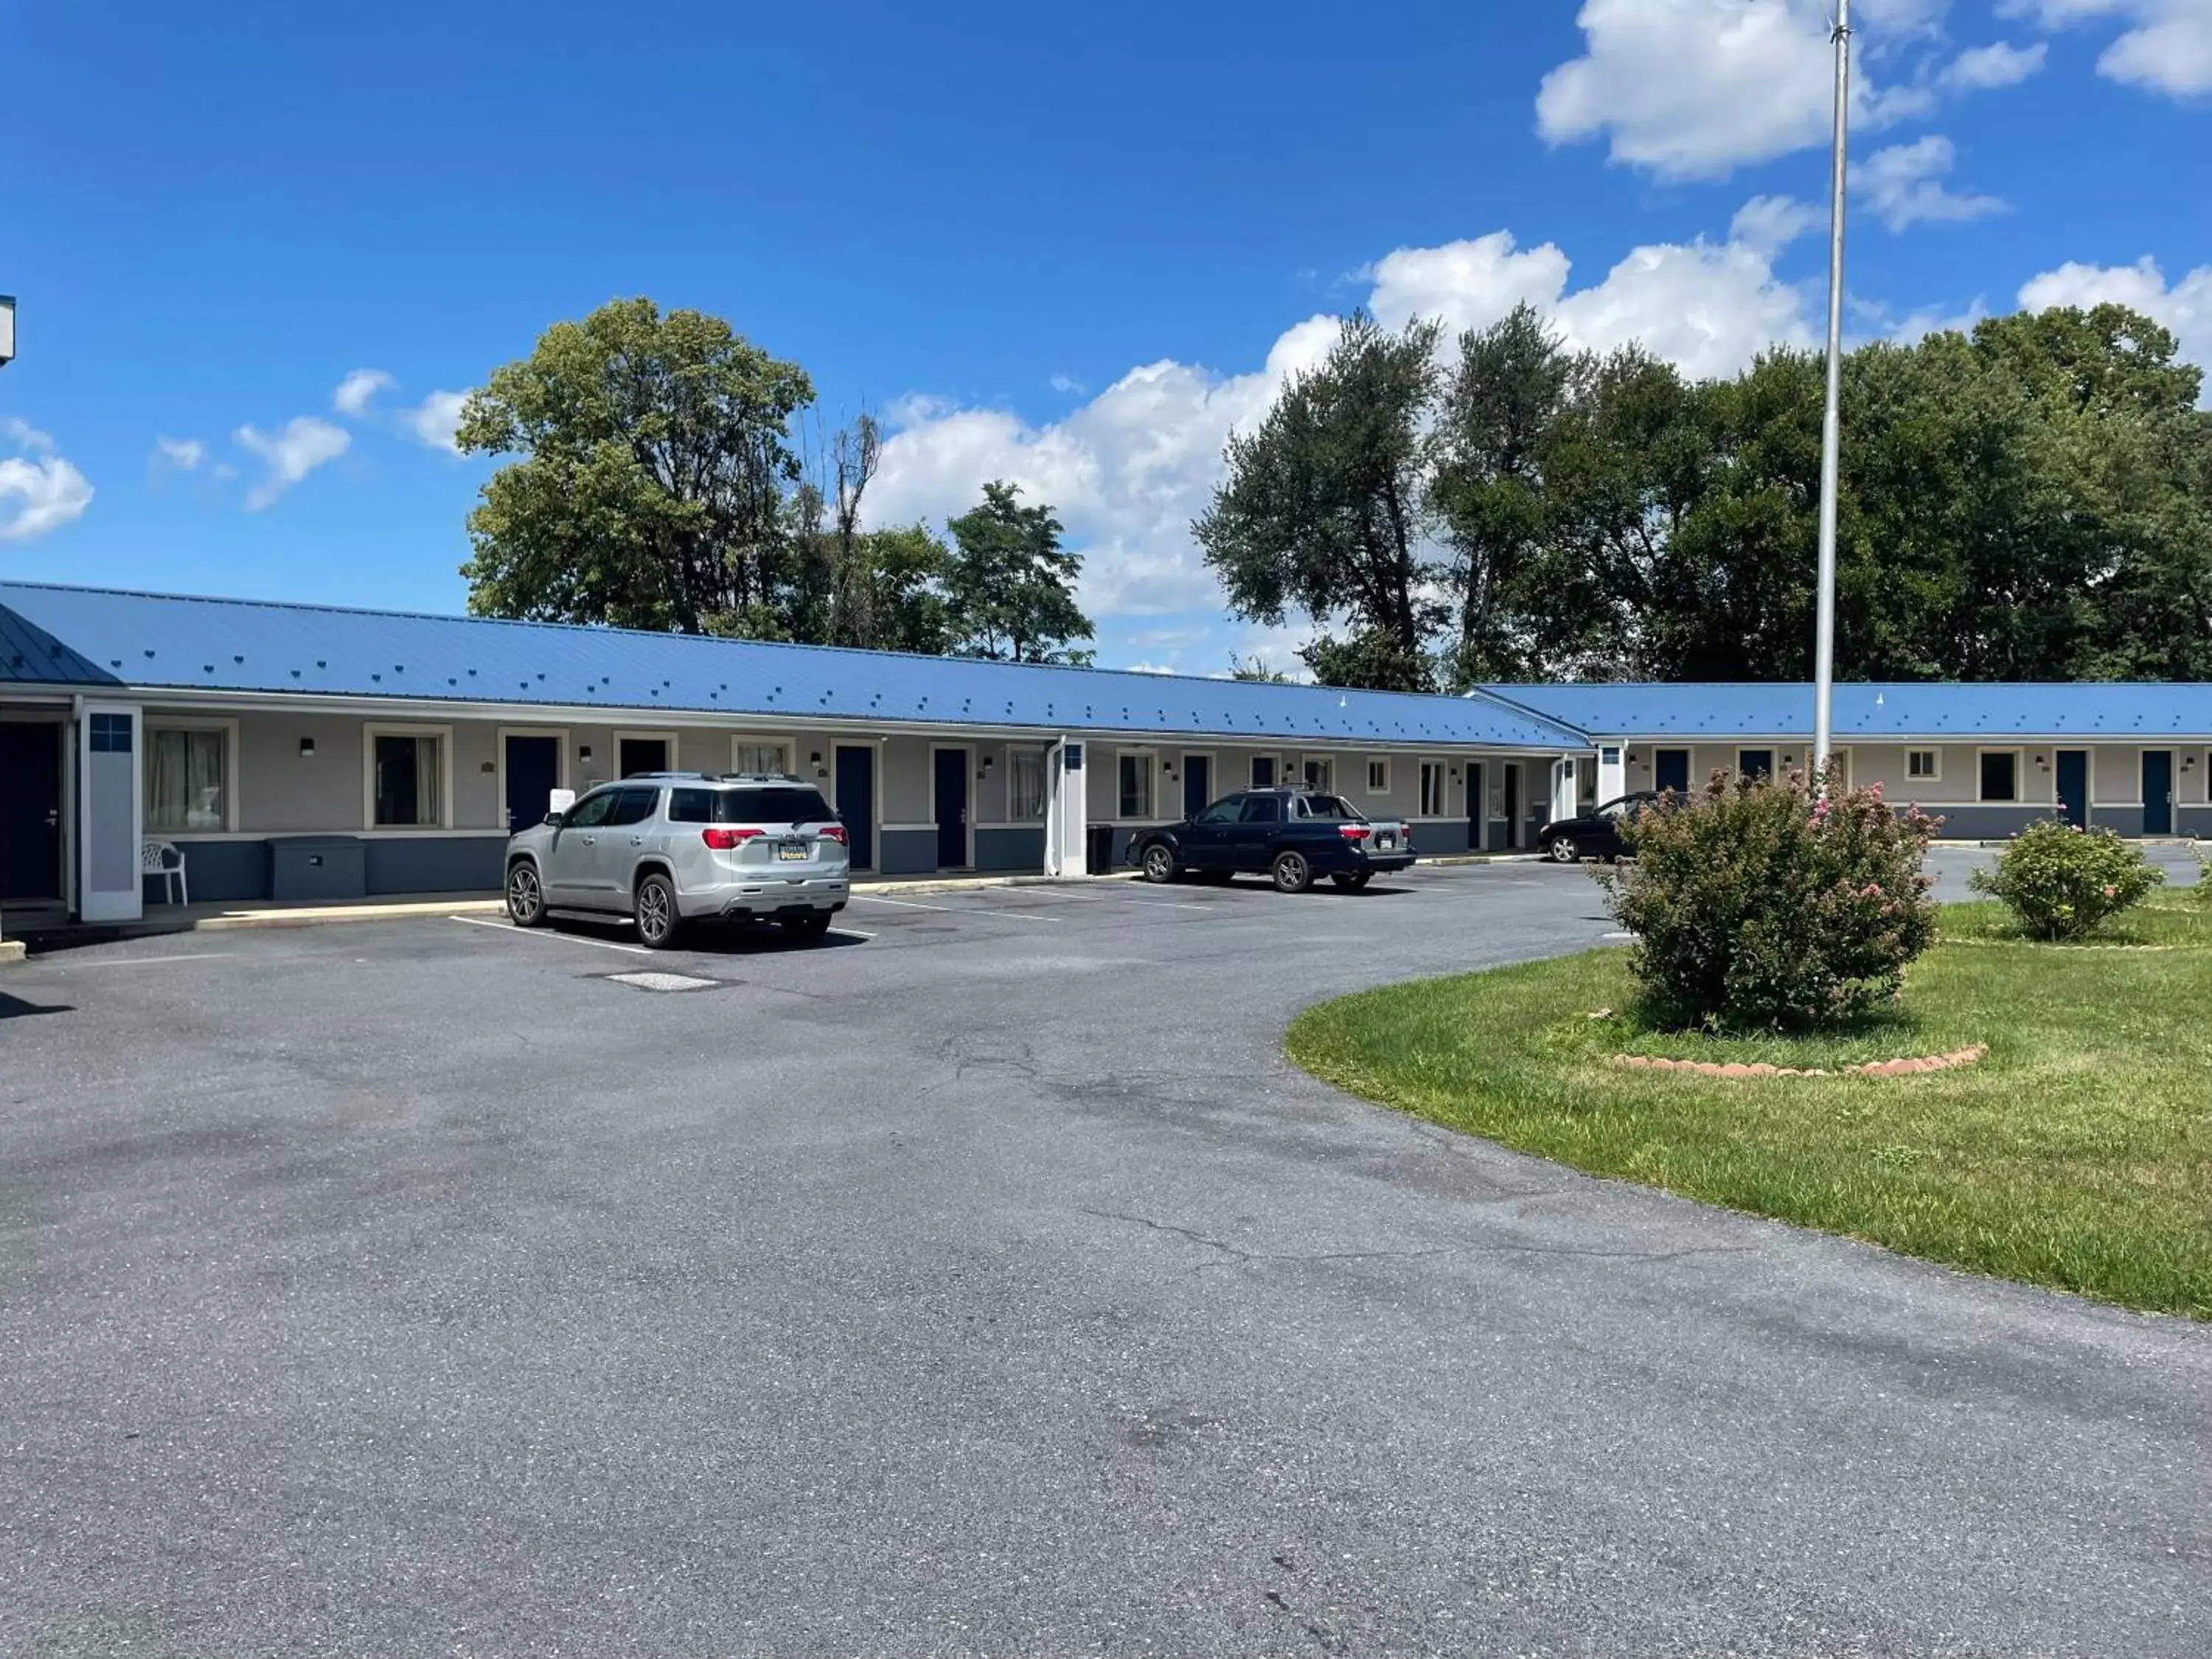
(56, 636)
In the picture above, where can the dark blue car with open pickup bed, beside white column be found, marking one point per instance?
(1288, 835)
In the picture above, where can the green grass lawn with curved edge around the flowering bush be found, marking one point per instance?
(2076, 1156)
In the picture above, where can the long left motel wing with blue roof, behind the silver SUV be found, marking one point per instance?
(306, 755)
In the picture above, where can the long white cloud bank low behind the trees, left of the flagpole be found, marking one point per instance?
(1134, 466)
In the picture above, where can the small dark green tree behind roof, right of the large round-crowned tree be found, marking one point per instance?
(1010, 583)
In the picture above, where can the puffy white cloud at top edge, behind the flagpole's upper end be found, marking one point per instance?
(1700, 87)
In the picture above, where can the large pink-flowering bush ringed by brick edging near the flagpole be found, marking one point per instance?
(1775, 904)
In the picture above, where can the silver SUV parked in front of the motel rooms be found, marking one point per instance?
(669, 848)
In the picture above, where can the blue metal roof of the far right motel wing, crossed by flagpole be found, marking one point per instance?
(2091, 709)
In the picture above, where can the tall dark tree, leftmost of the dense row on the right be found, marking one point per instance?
(1326, 508)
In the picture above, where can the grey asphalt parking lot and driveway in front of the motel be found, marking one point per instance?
(981, 1282)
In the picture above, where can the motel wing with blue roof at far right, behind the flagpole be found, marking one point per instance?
(1987, 760)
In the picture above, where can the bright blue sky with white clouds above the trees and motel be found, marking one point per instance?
(1067, 247)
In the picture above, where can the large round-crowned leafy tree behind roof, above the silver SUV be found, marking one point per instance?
(651, 479)
